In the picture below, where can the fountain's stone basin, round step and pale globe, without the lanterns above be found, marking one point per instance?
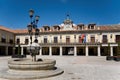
(24, 68)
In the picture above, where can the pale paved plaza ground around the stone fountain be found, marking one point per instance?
(80, 68)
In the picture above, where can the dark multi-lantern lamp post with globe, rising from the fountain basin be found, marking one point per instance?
(33, 48)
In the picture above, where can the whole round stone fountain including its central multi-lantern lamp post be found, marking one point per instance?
(24, 68)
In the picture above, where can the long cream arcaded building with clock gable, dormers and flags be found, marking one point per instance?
(65, 39)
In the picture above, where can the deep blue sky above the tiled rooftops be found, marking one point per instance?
(14, 14)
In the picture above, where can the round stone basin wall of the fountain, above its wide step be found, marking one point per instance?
(27, 64)
